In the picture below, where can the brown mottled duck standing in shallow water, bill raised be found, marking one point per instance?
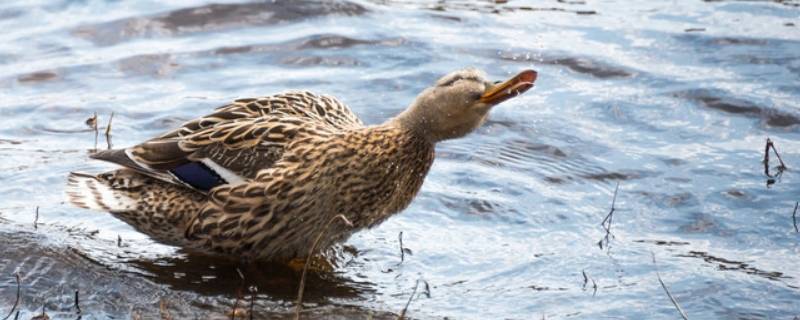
(261, 178)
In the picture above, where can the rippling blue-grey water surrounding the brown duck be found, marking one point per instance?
(673, 100)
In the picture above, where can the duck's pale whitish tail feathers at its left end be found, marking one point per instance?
(98, 193)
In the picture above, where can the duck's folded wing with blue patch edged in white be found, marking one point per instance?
(232, 144)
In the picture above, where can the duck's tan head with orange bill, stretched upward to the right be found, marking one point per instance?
(459, 103)
